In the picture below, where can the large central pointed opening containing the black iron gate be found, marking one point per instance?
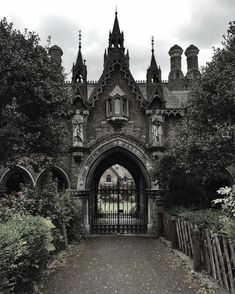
(119, 206)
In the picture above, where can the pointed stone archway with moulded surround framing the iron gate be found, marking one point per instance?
(136, 162)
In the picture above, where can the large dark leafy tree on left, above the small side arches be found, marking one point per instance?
(33, 98)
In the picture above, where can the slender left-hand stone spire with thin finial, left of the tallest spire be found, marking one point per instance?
(79, 70)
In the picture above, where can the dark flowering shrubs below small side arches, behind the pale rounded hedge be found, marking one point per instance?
(47, 201)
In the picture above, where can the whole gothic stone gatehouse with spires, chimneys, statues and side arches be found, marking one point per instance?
(118, 120)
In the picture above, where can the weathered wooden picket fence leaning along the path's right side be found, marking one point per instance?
(211, 252)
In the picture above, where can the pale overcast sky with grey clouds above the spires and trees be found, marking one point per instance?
(182, 22)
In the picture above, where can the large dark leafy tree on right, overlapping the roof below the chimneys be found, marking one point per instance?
(204, 142)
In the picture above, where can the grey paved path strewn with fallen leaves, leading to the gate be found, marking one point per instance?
(123, 265)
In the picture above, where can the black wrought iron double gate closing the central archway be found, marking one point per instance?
(118, 210)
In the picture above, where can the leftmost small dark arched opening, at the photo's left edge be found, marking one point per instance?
(14, 178)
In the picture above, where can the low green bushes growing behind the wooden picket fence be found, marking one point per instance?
(203, 218)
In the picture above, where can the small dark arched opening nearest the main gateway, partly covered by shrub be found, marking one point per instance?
(58, 175)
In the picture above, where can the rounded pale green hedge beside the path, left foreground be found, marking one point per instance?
(25, 246)
